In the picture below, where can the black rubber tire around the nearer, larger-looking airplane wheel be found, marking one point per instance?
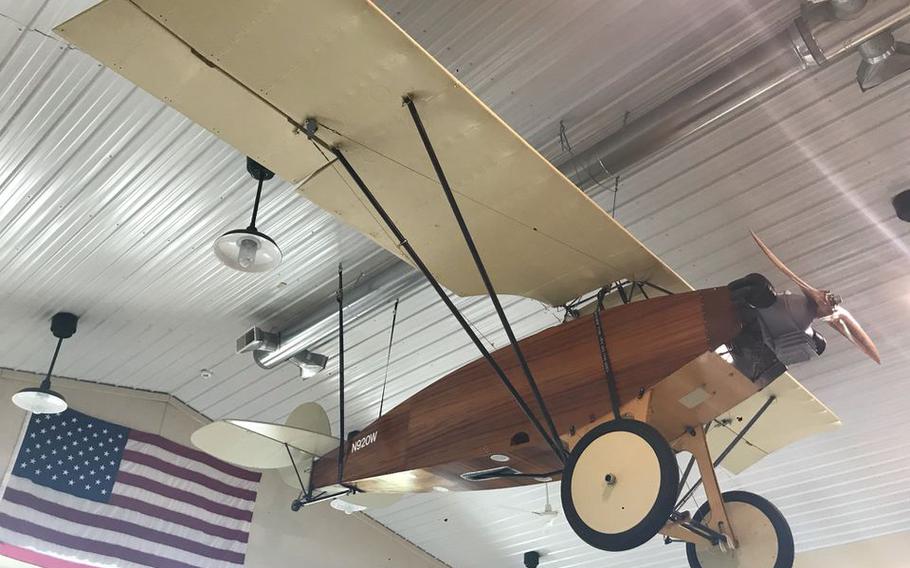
(663, 503)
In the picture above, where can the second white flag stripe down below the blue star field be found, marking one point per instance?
(118, 538)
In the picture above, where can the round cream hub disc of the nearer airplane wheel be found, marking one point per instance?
(615, 482)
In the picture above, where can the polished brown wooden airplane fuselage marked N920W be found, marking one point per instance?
(453, 426)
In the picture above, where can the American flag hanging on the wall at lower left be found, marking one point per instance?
(85, 492)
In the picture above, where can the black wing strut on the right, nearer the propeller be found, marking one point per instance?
(478, 262)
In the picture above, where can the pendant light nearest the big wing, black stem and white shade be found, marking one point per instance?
(248, 250)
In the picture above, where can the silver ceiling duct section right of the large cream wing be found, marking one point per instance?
(823, 33)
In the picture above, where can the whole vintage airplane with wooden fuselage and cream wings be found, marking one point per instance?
(332, 94)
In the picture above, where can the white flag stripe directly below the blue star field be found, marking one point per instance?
(120, 514)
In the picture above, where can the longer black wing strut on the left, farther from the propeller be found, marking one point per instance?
(310, 130)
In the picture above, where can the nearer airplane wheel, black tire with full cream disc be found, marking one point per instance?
(619, 485)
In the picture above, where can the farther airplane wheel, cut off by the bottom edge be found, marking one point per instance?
(763, 535)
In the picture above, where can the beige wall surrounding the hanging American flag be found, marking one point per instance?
(316, 536)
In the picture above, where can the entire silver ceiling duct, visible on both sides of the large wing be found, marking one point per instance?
(824, 32)
